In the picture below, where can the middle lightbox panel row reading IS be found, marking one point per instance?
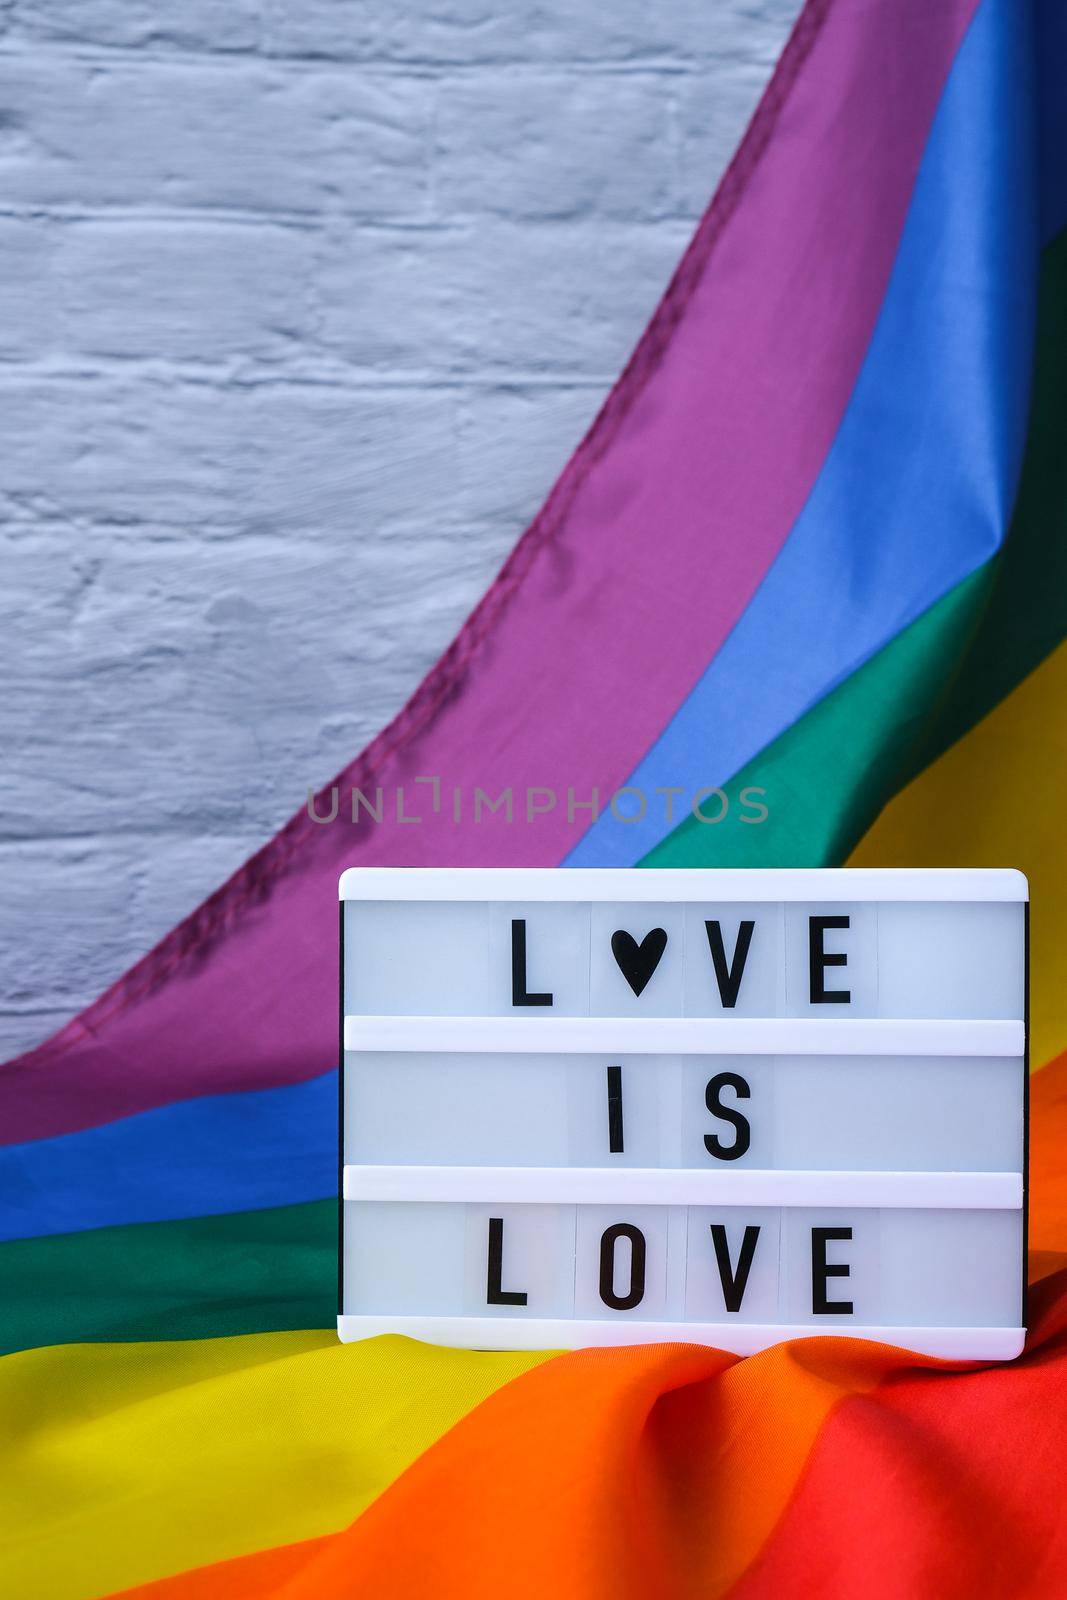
(812, 1113)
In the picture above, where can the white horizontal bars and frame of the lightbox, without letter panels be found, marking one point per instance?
(684, 1036)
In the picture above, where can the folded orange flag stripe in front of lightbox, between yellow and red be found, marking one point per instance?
(605, 1474)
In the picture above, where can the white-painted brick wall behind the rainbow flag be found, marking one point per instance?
(306, 303)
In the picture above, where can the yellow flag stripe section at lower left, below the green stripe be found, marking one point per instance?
(121, 1463)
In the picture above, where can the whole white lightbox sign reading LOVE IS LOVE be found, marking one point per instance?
(724, 1106)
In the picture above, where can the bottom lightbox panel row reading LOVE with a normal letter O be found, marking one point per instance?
(839, 1268)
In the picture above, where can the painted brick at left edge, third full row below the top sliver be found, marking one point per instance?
(233, 455)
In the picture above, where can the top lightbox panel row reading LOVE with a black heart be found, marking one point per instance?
(658, 959)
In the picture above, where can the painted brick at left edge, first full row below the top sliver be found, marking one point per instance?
(228, 134)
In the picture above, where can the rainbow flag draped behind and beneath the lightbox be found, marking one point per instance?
(810, 561)
